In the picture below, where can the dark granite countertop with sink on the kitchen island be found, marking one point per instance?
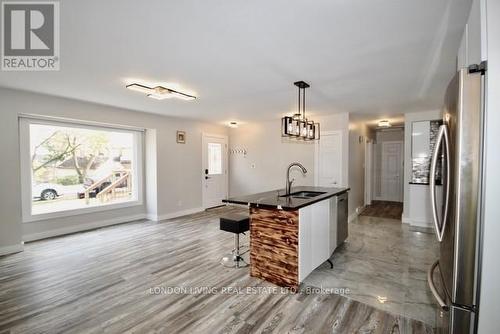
(271, 200)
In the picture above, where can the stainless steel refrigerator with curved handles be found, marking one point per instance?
(453, 278)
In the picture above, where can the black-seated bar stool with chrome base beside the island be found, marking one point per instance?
(234, 223)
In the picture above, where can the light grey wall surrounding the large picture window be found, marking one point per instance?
(178, 166)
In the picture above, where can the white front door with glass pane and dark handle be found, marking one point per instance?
(214, 173)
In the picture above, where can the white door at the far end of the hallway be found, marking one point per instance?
(392, 171)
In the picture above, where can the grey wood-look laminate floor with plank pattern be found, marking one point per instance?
(164, 278)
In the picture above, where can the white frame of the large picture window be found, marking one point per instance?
(26, 173)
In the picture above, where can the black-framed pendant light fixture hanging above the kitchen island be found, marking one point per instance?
(298, 126)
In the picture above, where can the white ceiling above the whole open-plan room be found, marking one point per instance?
(242, 57)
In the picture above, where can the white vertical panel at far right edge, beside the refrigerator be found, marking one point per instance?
(490, 278)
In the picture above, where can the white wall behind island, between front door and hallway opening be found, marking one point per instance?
(268, 155)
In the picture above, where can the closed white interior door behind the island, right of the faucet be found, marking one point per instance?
(329, 160)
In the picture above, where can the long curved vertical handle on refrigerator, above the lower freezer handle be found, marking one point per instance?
(440, 226)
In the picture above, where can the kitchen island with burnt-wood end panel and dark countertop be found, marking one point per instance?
(291, 235)
